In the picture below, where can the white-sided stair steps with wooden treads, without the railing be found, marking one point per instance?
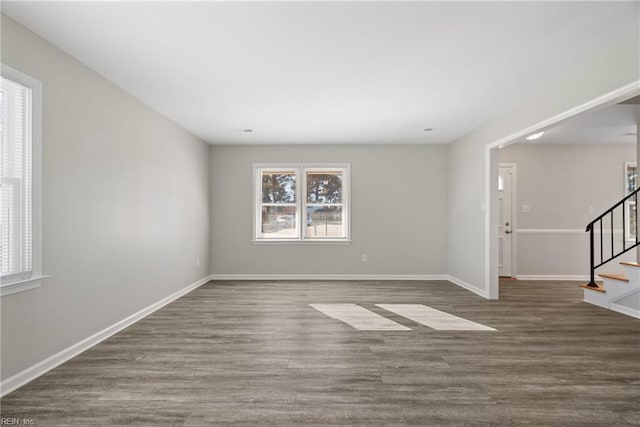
(617, 293)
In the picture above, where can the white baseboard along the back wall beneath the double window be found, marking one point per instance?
(354, 277)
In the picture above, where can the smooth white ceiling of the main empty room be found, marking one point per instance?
(330, 72)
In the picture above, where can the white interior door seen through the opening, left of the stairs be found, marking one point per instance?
(505, 223)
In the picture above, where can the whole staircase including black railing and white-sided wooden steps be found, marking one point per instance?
(617, 293)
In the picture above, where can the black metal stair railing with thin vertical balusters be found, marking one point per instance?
(629, 241)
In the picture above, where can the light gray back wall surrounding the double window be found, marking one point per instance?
(399, 205)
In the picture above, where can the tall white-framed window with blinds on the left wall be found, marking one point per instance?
(20, 187)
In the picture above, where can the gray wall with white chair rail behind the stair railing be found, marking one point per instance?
(559, 183)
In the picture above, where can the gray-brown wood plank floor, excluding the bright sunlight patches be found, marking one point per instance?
(257, 353)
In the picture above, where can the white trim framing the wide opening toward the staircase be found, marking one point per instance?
(491, 173)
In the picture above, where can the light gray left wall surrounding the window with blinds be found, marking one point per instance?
(126, 206)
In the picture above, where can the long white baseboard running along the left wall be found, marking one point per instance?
(21, 378)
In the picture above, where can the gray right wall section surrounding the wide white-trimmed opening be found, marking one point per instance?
(610, 70)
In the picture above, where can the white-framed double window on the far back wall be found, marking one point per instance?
(301, 203)
